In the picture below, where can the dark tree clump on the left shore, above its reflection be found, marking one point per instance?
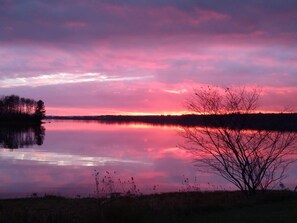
(15, 109)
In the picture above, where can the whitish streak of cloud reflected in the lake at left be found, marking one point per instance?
(59, 159)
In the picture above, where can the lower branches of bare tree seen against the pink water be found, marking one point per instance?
(249, 159)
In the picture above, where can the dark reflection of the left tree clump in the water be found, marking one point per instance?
(20, 136)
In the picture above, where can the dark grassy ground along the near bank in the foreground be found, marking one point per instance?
(228, 207)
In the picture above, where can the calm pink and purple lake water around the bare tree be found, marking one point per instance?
(64, 158)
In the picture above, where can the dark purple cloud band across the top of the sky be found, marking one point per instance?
(62, 22)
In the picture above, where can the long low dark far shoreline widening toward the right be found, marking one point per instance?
(259, 121)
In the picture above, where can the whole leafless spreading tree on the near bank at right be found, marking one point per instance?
(249, 159)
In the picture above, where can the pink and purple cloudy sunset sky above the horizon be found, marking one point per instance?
(96, 57)
